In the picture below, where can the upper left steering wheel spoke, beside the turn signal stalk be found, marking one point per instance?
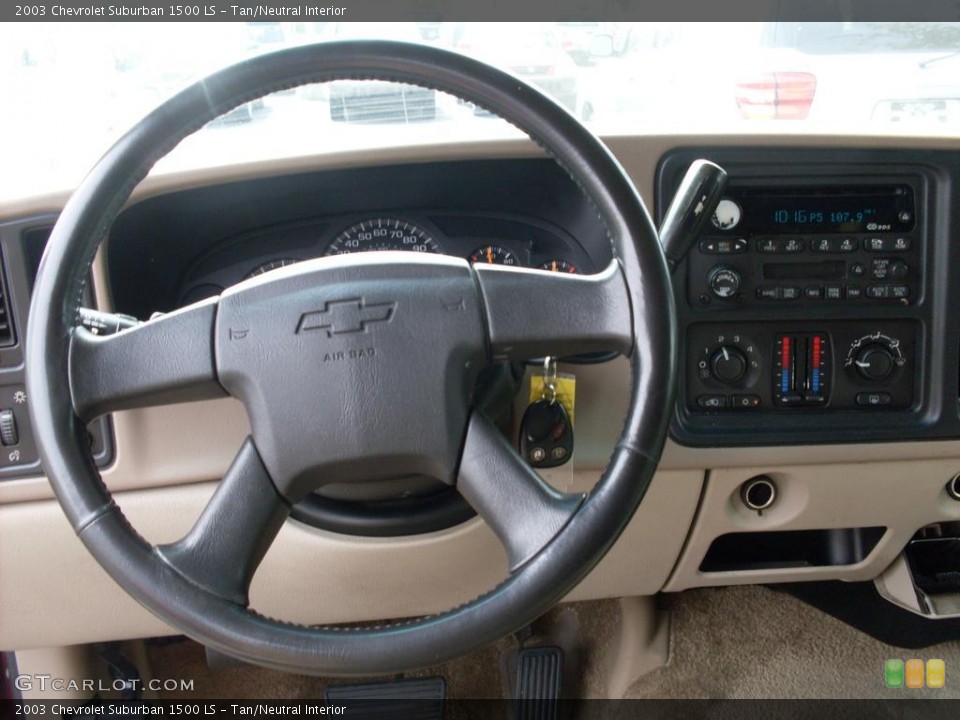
(166, 360)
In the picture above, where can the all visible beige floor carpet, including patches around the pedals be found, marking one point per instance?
(746, 642)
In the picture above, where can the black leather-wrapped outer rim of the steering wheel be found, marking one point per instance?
(151, 576)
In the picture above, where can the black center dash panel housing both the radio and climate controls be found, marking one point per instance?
(811, 303)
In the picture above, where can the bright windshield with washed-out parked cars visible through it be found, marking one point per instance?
(68, 95)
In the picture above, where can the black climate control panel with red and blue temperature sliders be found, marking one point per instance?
(801, 367)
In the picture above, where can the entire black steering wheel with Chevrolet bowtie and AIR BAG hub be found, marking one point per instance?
(353, 368)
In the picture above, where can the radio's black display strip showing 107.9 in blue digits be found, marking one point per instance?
(821, 210)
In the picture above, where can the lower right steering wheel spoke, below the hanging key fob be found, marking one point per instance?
(522, 510)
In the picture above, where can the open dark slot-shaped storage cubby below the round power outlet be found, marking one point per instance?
(790, 549)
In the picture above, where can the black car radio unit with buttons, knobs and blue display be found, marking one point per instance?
(832, 244)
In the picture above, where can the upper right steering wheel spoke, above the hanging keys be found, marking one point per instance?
(531, 313)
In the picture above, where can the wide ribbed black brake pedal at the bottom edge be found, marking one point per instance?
(404, 699)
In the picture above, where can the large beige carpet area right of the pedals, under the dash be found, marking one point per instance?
(751, 642)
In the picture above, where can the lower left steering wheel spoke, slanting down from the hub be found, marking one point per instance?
(223, 550)
